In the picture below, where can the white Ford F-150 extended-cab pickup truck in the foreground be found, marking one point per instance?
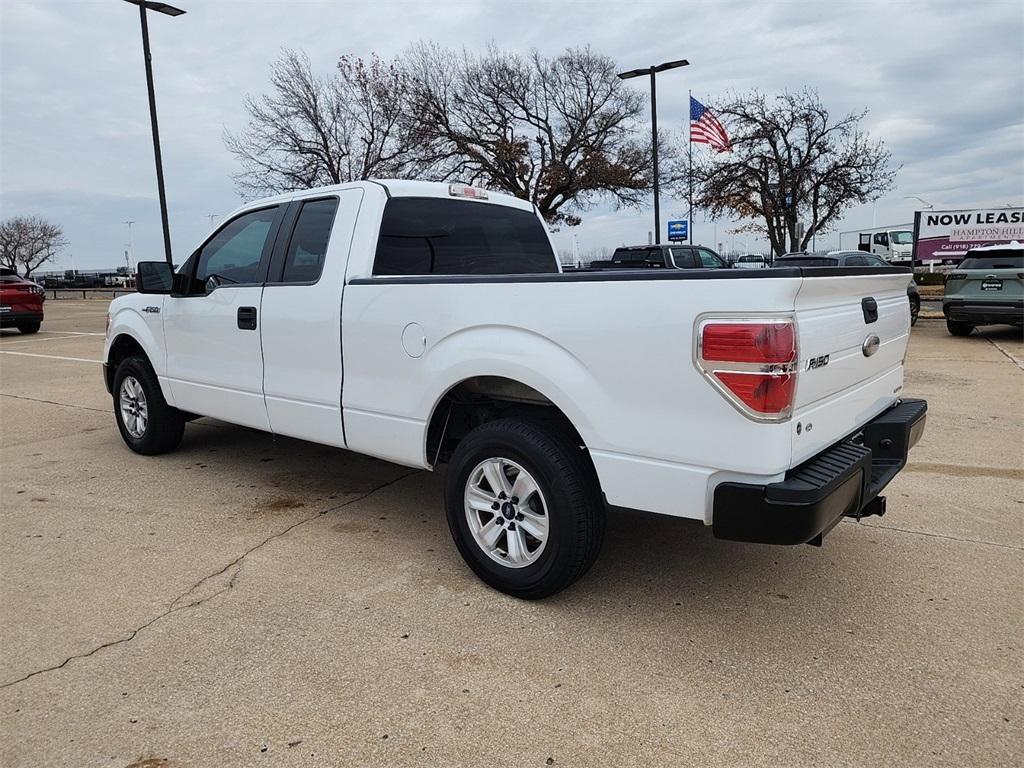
(431, 325)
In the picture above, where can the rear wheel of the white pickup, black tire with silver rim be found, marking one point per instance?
(525, 507)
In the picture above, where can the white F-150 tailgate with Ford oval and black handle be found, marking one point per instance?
(852, 333)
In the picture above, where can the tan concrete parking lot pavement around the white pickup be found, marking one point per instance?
(252, 601)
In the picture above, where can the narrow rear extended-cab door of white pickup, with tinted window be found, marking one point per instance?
(302, 318)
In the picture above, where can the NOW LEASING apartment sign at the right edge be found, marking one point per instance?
(950, 235)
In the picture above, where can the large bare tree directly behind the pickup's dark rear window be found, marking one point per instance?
(559, 133)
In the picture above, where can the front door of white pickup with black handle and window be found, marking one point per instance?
(215, 361)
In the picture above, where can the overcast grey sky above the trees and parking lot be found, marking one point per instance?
(945, 83)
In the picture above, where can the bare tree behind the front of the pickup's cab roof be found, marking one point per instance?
(312, 131)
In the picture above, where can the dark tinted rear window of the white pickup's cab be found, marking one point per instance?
(434, 236)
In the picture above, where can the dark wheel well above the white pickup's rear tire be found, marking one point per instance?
(484, 399)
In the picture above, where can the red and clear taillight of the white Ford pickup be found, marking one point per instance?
(752, 363)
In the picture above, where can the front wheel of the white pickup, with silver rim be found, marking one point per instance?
(147, 423)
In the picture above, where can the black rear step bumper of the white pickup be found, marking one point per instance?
(843, 481)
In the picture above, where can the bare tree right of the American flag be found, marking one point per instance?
(791, 164)
